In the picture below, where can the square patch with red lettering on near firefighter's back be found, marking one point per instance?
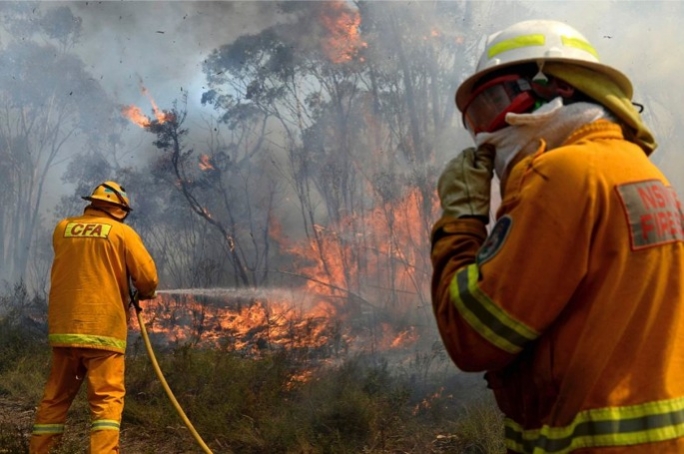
(654, 213)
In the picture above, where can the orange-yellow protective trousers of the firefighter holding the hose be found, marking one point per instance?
(104, 373)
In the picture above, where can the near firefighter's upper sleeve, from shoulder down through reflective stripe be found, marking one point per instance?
(537, 254)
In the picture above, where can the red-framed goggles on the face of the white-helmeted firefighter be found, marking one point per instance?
(486, 109)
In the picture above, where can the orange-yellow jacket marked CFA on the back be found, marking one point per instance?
(89, 293)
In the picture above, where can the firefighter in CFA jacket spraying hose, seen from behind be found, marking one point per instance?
(95, 256)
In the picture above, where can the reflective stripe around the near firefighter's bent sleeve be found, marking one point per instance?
(491, 321)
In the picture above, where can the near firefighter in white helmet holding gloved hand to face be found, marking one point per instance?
(573, 302)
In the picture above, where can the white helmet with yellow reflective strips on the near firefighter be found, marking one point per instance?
(537, 41)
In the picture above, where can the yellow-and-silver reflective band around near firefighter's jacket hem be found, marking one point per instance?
(613, 426)
